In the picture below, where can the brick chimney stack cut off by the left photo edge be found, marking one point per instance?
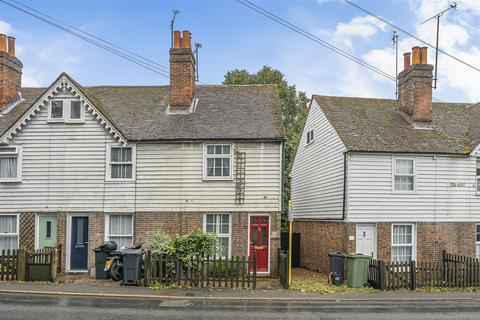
(10, 72)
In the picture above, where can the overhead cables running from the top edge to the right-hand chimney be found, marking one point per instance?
(317, 40)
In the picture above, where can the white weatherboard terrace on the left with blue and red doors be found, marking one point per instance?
(81, 165)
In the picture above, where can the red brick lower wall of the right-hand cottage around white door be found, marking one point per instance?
(317, 238)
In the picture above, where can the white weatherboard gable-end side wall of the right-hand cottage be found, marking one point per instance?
(318, 170)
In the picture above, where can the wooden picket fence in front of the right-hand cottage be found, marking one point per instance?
(455, 271)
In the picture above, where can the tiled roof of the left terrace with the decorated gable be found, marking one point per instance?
(139, 112)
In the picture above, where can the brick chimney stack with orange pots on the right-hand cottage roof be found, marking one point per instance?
(415, 87)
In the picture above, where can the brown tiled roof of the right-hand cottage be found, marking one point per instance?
(375, 125)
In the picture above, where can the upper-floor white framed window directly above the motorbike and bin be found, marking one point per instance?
(121, 163)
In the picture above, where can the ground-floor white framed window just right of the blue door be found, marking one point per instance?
(119, 228)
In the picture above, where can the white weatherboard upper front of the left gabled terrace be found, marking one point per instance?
(64, 169)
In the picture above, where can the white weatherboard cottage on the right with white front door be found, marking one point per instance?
(393, 179)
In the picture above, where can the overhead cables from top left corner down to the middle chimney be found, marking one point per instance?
(85, 36)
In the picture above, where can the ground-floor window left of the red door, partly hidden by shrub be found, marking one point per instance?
(221, 224)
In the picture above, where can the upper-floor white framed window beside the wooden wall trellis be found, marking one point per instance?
(217, 161)
